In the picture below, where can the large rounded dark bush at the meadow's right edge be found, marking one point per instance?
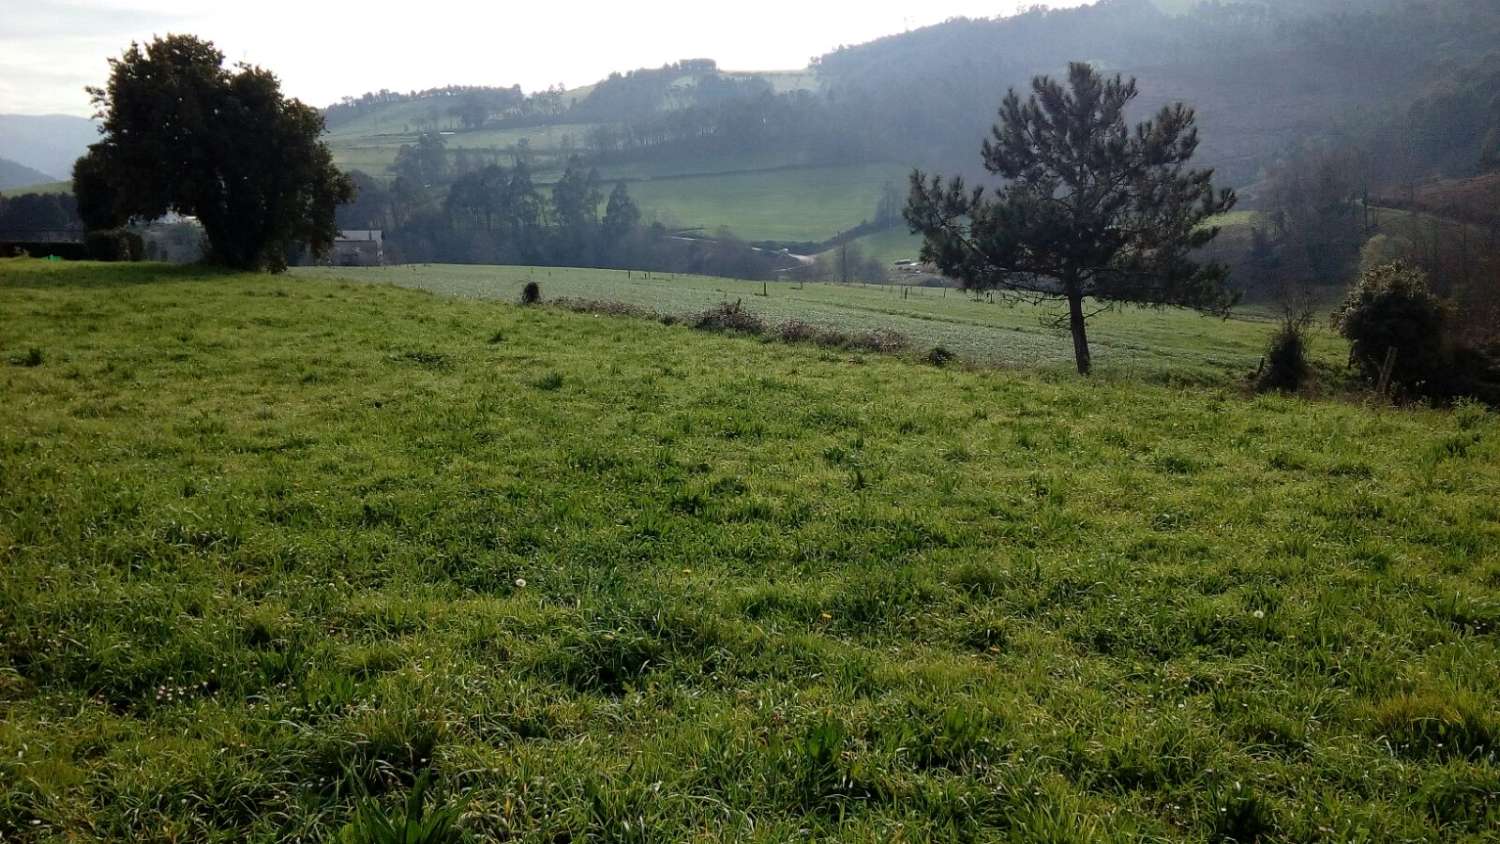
(1391, 308)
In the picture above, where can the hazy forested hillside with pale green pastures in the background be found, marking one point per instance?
(1396, 92)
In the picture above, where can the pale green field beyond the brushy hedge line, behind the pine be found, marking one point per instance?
(1135, 343)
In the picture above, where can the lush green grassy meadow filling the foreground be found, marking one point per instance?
(274, 546)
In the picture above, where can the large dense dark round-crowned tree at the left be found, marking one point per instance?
(185, 134)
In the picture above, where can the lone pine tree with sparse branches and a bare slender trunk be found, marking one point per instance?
(1088, 209)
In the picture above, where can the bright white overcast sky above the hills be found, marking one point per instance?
(52, 49)
